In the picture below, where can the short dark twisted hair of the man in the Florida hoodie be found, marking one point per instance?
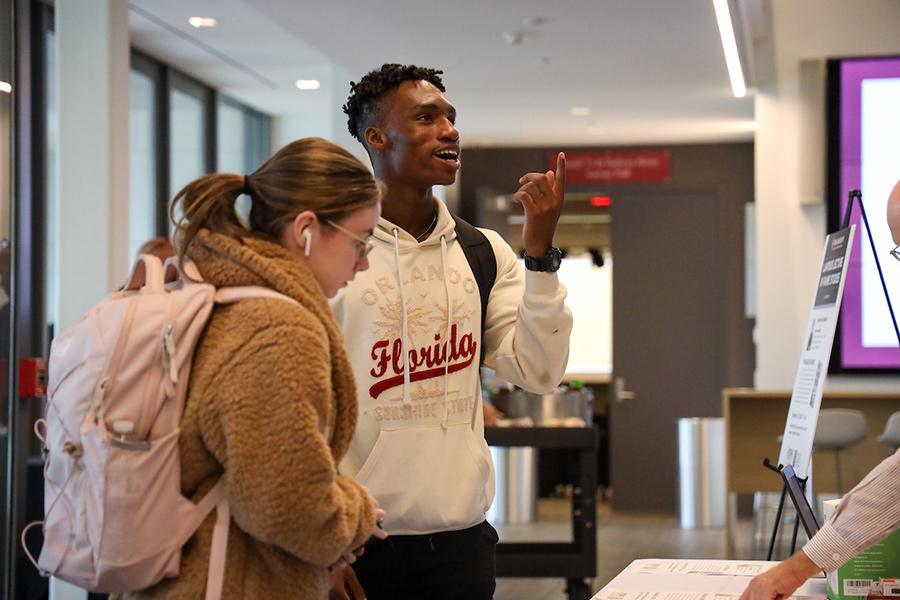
(365, 96)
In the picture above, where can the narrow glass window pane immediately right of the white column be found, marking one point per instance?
(142, 192)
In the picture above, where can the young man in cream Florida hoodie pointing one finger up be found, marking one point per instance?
(412, 325)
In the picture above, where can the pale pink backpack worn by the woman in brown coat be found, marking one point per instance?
(115, 518)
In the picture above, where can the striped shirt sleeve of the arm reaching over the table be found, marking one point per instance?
(864, 517)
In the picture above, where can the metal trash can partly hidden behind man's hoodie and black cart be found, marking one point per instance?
(515, 498)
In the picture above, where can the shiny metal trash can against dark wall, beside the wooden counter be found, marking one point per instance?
(701, 472)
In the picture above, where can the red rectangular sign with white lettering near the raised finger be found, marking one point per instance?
(639, 166)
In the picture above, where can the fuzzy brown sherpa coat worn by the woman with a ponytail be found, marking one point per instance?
(272, 404)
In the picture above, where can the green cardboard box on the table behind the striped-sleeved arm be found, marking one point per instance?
(873, 573)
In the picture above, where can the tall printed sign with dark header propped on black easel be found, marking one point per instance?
(800, 428)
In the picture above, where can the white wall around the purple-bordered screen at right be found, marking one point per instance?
(790, 235)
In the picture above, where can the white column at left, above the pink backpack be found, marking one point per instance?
(92, 58)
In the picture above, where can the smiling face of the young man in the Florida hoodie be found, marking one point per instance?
(422, 140)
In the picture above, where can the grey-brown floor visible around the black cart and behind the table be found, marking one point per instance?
(620, 539)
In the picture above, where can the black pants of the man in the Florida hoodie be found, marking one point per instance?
(451, 565)
